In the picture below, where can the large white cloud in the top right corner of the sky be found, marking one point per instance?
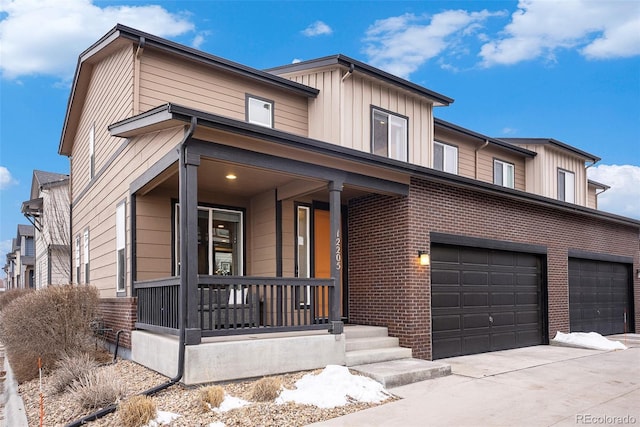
(539, 28)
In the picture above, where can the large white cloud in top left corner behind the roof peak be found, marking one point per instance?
(45, 37)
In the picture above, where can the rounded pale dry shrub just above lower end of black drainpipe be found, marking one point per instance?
(97, 388)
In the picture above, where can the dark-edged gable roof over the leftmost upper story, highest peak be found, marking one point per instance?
(120, 36)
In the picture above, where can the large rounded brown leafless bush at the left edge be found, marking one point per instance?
(48, 323)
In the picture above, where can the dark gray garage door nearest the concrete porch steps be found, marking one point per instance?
(484, 300)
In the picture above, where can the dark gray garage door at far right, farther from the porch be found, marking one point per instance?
(598, 296)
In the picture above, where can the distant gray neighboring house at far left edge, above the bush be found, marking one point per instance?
(20, 267)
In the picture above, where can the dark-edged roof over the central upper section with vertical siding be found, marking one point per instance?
(355, 65)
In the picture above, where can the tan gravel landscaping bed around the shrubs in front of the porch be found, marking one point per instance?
(61, 409)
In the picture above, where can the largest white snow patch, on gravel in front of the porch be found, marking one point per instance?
(334, 386)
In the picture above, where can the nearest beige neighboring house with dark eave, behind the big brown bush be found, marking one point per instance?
(48, 211)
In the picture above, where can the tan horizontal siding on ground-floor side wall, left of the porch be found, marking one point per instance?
(96, 208)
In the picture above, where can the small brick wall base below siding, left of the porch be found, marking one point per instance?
(119, 314)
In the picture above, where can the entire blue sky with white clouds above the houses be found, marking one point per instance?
(568, 70)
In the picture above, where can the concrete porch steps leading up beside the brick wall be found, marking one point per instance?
(373, 353)
